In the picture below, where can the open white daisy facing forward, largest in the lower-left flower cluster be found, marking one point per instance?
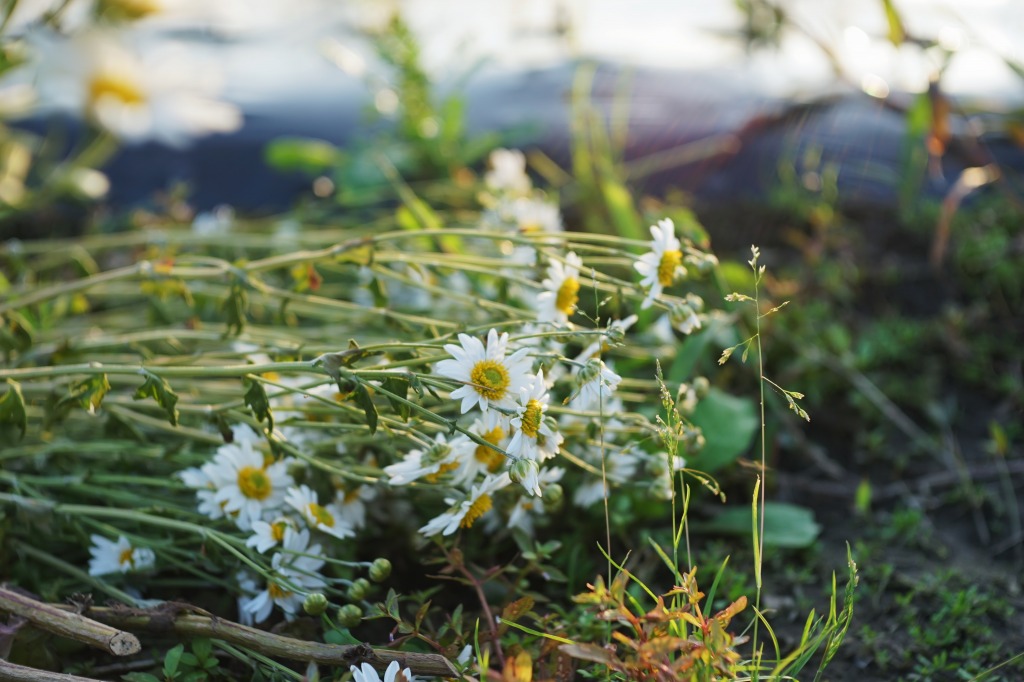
(249, 486)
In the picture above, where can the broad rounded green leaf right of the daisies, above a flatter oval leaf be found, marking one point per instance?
(730, 424)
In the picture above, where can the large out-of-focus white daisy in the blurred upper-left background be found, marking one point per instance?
(153, 96)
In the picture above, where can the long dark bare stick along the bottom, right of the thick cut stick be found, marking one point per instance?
(175, 617)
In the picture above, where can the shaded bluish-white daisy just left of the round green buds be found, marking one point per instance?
(293, 576)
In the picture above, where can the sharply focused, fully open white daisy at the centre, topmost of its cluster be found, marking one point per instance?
(489, 376)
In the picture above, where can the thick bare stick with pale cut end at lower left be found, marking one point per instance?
(70, 625)
